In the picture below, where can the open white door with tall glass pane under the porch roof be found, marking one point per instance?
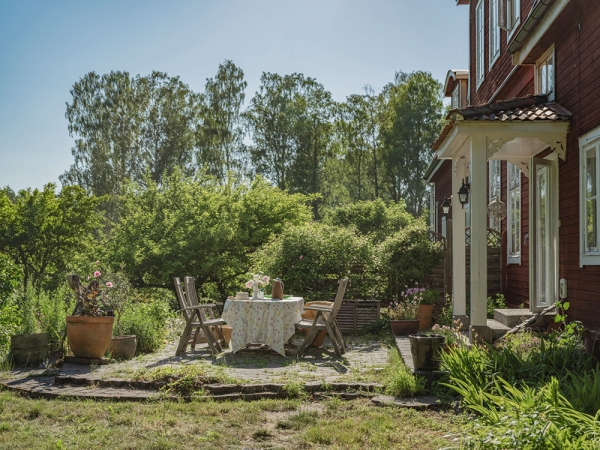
(544, 235)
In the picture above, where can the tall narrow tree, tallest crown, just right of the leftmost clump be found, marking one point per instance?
(220, 137)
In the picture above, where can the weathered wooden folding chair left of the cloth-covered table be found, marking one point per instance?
(199, 319)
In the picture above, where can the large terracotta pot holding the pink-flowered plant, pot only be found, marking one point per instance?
(89, 337)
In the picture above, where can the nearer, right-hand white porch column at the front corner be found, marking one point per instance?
(478, 198)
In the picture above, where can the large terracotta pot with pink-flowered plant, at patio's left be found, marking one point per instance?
(89, 329)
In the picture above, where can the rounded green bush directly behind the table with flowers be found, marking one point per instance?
(311, 258)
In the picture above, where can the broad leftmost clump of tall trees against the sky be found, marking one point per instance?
(124, 127)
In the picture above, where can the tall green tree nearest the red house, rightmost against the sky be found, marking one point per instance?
(415, 120)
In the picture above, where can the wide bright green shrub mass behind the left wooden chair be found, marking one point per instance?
(197, 227)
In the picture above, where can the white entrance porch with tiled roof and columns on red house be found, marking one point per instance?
(517, 135)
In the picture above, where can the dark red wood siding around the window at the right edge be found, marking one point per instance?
(577, 89)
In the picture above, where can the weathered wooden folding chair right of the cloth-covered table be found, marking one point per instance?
(325, 321)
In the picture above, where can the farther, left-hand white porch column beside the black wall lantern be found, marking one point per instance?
(459, 274)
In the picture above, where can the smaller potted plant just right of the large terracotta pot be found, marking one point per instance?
(118, 297)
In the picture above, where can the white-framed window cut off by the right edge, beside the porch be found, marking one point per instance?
(588, 142)
